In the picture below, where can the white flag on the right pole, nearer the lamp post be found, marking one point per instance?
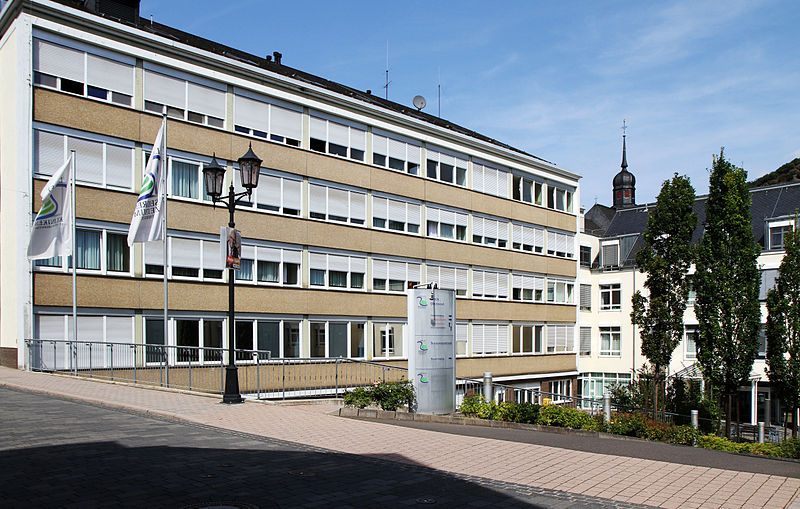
(146, 224)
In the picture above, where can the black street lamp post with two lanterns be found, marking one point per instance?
(214, 175)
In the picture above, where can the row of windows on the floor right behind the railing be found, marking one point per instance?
(202, 339)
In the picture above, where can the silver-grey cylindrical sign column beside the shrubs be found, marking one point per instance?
(431, 349)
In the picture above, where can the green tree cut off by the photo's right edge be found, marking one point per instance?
(783, 328)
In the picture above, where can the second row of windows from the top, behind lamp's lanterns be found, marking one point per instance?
(106, 163)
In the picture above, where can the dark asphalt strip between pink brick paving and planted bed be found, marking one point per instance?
(623, 447)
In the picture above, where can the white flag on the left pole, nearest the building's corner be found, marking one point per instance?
(51, 233)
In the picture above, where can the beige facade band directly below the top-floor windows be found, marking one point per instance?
(102, 118)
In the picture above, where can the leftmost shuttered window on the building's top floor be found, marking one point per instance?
(78, 72)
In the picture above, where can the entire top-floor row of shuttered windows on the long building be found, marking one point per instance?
(77, 68)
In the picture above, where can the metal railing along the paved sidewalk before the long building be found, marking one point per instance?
(202, 368)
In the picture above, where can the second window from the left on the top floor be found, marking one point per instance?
(184, 97)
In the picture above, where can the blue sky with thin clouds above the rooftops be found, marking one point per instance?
(555, 80)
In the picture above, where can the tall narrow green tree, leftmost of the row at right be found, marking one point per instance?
(665, 258)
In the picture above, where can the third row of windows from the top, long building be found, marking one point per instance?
(107, 251)
